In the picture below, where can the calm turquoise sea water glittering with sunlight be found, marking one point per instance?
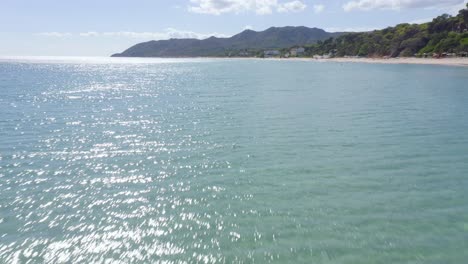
(232, 161)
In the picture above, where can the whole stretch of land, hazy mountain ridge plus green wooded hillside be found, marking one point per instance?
(445, 35)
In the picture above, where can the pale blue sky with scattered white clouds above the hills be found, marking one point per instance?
(104, 27)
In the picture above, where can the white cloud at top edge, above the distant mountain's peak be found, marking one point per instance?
(260, 7)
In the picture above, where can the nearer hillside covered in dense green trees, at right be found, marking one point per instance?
(444, 34)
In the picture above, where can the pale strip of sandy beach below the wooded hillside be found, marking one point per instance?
(430, 61)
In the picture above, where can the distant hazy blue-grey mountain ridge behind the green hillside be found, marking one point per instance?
(247, 42)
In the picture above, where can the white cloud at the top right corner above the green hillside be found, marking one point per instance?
(398, 4)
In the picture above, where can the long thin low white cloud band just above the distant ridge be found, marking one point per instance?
(166, 34)
